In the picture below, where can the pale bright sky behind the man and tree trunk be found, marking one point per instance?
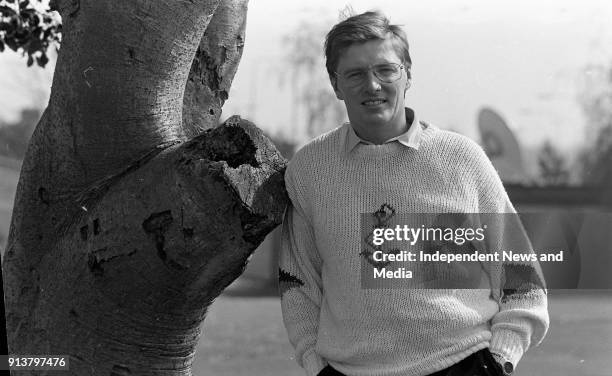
(524, 59)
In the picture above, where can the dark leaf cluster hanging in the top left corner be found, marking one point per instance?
(31, 27)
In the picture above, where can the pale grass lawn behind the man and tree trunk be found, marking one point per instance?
(245, 336)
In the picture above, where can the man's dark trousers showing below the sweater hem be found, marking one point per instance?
(480, 363)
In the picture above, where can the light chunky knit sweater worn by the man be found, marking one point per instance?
(331, 319)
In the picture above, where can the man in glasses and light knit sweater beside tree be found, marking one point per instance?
(384, 161)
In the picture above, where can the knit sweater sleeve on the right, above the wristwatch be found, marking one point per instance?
(522, 320)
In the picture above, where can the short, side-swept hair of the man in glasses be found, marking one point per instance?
(361, 28)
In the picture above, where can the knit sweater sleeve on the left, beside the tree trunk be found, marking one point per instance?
(300, 282)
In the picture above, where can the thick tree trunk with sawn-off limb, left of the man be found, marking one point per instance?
(123, 232)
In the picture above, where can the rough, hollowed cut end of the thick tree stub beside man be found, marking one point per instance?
(245, 161)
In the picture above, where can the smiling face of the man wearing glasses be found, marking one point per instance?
(375, 108)
